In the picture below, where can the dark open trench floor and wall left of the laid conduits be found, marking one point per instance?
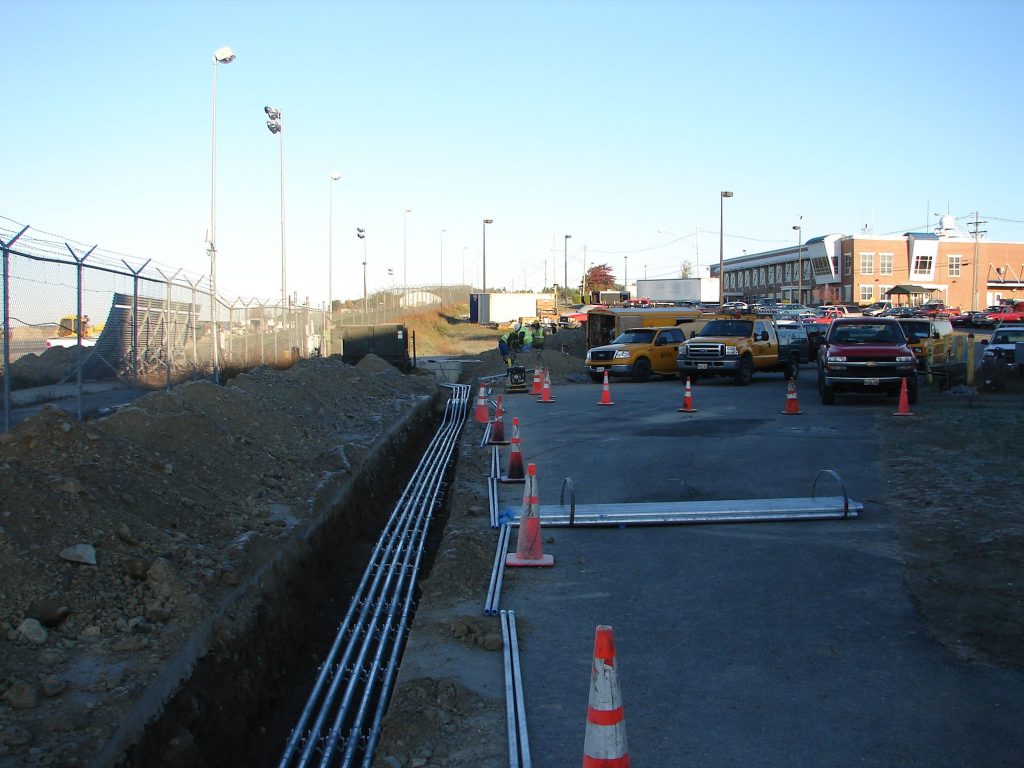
(234, 695)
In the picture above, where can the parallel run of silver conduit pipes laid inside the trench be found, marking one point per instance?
(340, 722)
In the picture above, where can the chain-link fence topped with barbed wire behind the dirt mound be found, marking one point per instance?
(75, 314)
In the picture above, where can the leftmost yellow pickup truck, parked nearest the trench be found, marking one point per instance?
(638, 353)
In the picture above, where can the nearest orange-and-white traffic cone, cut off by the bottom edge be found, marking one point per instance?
(606, 745)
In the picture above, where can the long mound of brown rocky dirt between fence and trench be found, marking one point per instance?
(119, 535)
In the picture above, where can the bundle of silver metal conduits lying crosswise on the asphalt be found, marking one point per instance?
(747, 510)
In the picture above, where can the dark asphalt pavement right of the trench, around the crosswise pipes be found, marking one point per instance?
(755, 645)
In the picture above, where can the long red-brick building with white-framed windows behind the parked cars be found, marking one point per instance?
(948, 265)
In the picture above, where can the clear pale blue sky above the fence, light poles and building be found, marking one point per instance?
(618, 123)
